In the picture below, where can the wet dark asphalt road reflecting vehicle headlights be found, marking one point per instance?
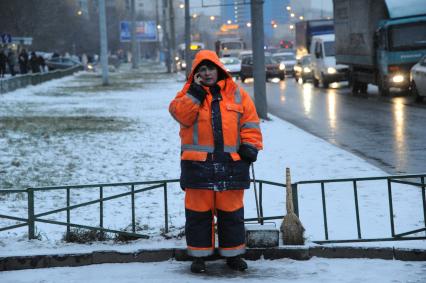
(388, 132)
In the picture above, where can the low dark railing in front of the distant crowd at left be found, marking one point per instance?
(20, 81)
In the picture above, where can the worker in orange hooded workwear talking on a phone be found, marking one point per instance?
(220, 138)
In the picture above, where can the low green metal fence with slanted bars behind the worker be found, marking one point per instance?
(134, 188)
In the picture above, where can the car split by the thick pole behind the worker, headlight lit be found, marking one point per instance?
(273, 68)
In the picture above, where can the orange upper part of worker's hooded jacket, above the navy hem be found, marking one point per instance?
(240, 123)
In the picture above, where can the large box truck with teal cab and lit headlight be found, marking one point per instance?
(380, 40)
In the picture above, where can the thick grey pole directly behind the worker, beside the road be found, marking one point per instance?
(258, 58)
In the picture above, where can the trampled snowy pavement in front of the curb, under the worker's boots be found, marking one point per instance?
(285, 270)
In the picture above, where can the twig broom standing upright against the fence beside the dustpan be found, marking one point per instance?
(291, 227)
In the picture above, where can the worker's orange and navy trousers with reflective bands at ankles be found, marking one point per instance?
(200, 208)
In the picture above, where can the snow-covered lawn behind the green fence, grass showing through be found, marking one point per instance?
(74, 131)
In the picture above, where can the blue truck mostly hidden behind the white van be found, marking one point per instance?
(305, 30)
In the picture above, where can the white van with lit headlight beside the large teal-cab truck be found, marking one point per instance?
(325, 70)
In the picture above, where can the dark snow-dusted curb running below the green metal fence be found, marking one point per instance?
(143, 255)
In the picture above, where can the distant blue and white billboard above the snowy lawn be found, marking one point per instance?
(145, 31)
